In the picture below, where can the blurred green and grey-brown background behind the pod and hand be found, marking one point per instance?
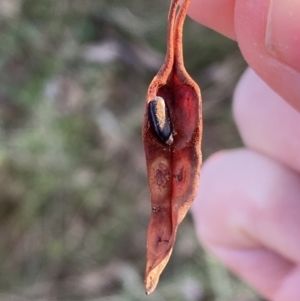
(74, 201)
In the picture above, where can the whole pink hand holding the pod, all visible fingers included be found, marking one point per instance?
(247, 211)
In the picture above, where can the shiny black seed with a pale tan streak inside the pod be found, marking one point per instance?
(159, 116)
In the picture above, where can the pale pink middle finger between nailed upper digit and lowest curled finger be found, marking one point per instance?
(266, 122)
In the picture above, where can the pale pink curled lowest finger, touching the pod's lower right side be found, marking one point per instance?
(247, 214)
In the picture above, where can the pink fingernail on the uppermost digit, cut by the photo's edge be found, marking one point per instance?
(283, 31)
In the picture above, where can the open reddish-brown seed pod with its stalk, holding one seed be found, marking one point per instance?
(172, 133)
